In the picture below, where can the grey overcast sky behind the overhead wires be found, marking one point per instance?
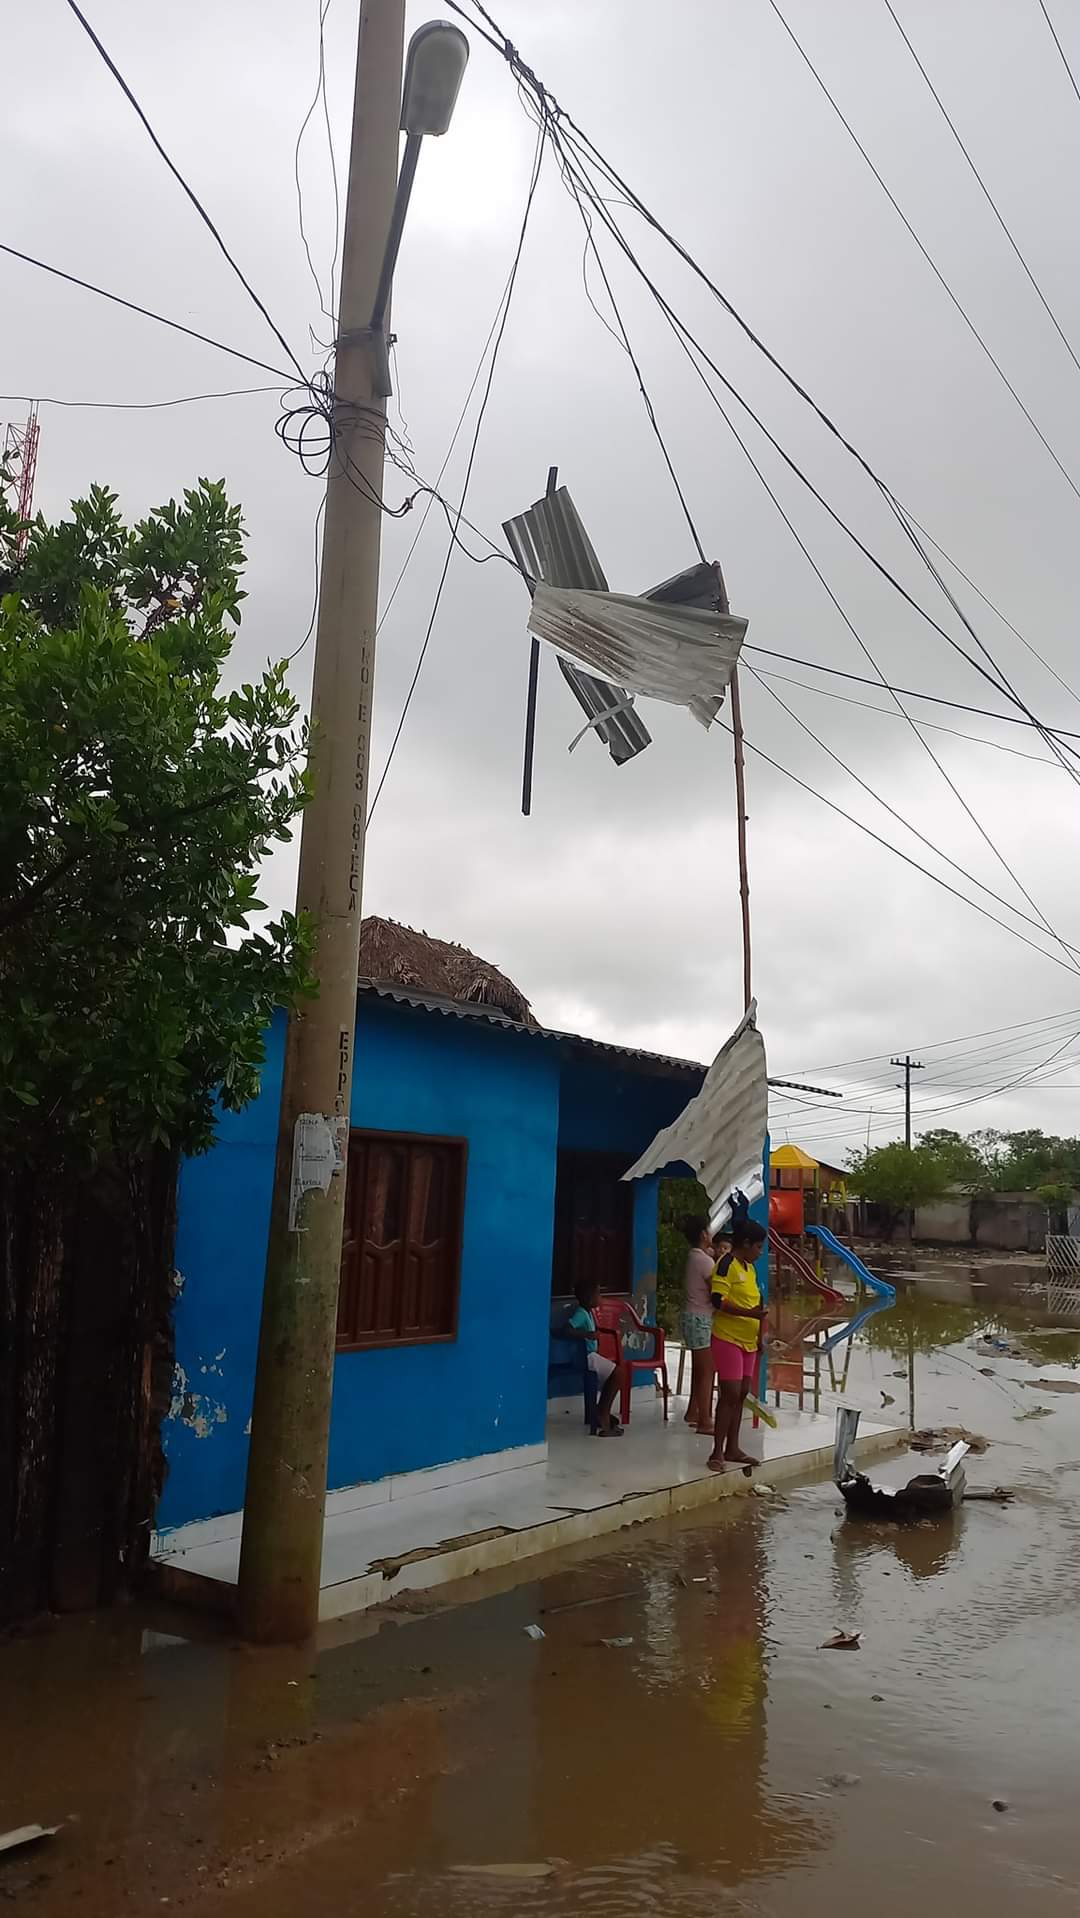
(615, 906)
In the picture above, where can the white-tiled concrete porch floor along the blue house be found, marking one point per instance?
(385, 1541)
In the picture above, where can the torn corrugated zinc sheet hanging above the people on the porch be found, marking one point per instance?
(722, 1131)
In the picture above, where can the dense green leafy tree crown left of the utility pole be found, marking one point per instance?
(137, 799)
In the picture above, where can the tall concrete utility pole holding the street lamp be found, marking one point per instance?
(291, 1424)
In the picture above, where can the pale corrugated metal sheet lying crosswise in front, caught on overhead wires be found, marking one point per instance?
(669, 653)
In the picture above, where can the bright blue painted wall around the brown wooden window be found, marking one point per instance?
(394, 1411)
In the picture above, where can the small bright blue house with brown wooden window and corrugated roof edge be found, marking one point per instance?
(484, 1181)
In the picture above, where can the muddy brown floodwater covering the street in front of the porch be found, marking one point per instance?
(720, 1762)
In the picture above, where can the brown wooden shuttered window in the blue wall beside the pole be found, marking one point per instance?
(402, 1248)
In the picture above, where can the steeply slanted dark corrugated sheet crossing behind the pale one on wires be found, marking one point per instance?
(550, 544)
